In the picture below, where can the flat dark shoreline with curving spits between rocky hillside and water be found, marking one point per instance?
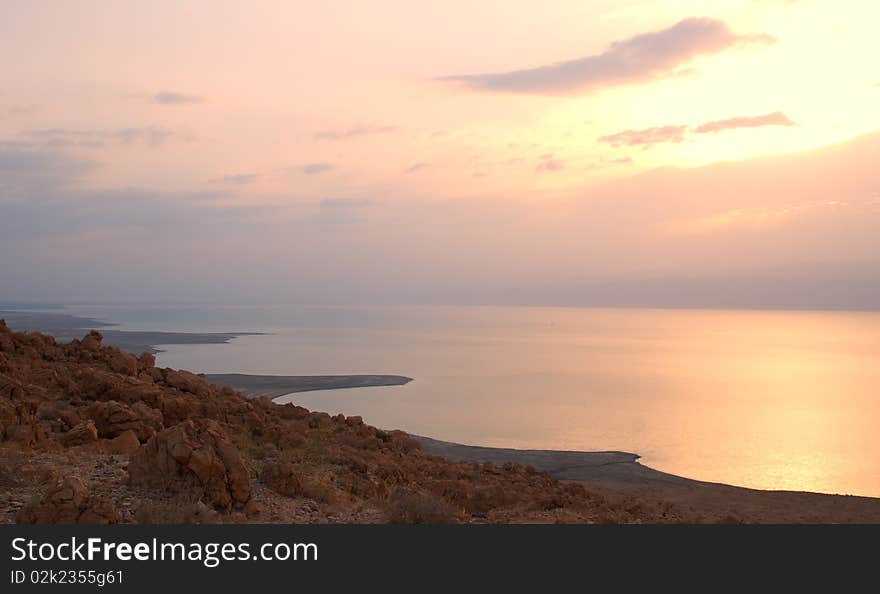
(617, 476)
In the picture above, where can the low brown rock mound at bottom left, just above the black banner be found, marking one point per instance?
(67, 501)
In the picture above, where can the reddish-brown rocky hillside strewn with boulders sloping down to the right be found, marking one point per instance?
(93, 434)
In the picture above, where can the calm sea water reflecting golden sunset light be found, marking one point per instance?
(779, 400)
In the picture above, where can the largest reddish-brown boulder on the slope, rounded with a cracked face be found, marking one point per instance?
(194, 456)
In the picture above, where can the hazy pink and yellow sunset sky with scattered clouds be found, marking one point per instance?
(603, 152)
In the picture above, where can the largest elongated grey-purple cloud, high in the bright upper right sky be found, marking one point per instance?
(645, 57)
